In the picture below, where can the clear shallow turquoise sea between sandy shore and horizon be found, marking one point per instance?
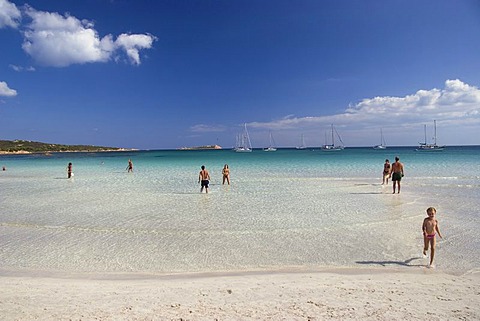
(290, 209)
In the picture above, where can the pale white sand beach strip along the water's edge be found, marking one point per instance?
(341, 294)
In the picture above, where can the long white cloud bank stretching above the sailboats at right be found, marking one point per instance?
(457, 101)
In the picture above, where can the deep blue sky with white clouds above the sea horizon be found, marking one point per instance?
(173, 73)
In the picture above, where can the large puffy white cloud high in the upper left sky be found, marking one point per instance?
(58, 40)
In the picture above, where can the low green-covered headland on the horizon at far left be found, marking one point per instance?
(18, 146)
